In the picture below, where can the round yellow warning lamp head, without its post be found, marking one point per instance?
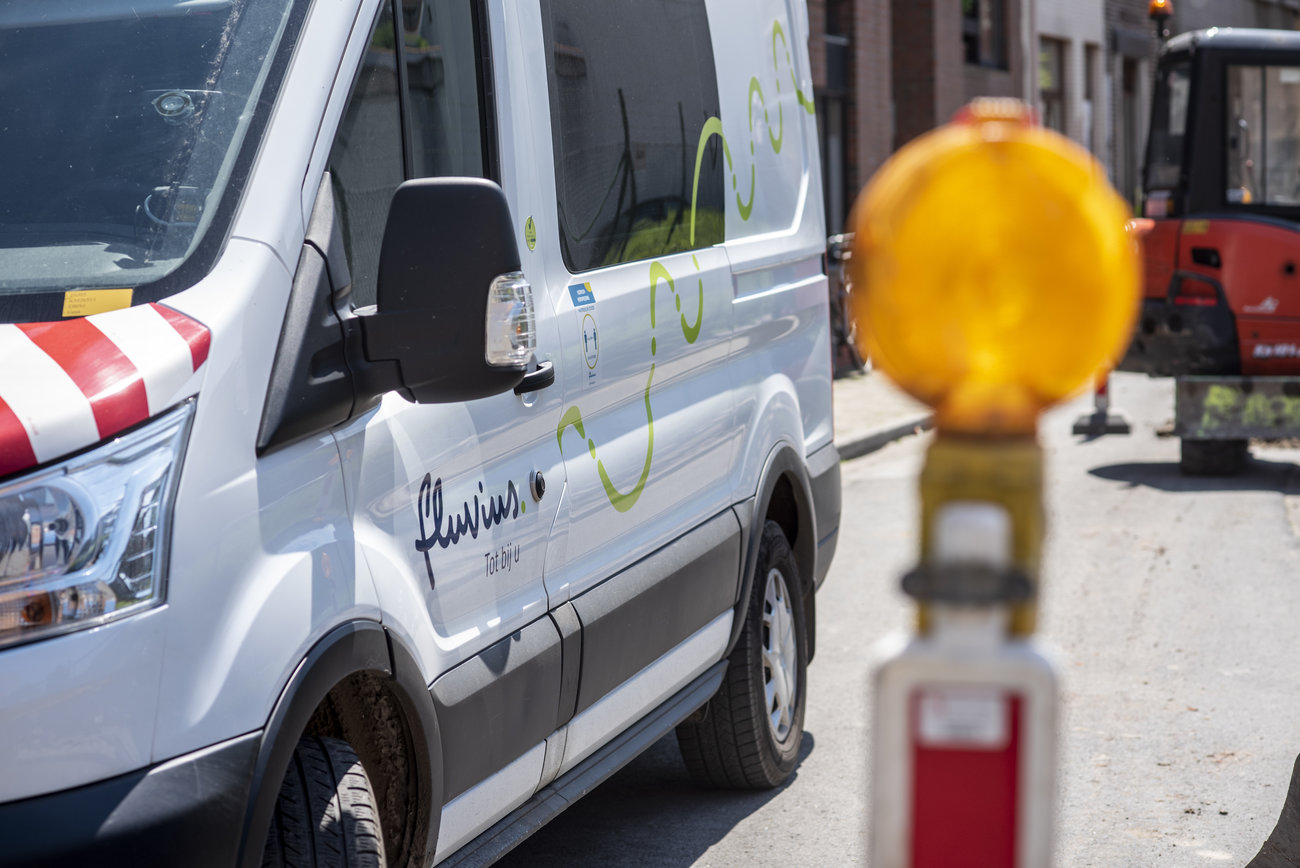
(993, 272)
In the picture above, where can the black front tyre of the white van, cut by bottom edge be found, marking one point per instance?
(327, 814)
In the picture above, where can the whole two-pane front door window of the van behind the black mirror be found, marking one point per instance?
(445, 111)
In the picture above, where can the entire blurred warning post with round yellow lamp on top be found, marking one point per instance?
(994, 277)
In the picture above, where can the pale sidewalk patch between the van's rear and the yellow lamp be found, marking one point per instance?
(872, 413)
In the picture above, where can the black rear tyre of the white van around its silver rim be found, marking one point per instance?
(734, 741)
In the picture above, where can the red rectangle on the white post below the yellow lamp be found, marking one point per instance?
(965, 791)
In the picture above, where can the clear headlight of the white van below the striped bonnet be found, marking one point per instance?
(85, 542)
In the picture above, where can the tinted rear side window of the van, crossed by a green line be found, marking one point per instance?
(631, 90)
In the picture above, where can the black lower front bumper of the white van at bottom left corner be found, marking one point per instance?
(187, 811)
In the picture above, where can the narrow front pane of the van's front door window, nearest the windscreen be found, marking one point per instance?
(366, 162)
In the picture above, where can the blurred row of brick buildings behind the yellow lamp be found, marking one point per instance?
(889, 71)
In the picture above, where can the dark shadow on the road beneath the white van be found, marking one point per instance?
(649, 814)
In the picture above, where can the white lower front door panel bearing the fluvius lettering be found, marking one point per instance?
(447, 522)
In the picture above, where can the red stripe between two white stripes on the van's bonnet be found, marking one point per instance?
(102, 372)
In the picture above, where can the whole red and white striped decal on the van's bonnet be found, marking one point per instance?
(72, 384)
